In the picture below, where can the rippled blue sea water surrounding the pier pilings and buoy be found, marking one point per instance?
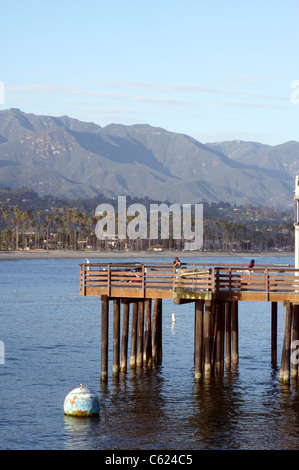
(52, 344)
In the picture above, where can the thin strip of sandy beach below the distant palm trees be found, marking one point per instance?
(56, 254)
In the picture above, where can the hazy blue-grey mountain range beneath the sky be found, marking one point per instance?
(72, 159)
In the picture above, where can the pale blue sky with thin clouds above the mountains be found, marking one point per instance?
(217, 71)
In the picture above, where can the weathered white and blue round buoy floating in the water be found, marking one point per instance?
(81, 402)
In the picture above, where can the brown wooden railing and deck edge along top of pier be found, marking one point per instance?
(226, 281)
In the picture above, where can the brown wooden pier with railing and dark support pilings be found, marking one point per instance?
(215, 291)
